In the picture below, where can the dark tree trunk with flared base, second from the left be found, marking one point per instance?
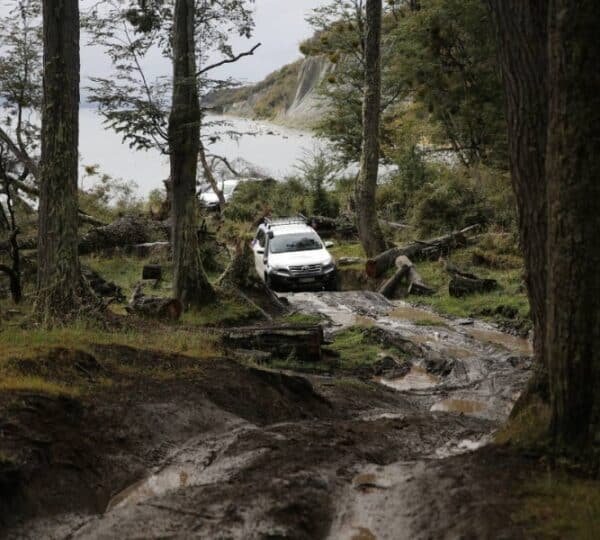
(191, 285)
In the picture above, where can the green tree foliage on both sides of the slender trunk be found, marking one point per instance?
(440, 83)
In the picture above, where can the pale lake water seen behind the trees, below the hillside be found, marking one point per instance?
(273, 149)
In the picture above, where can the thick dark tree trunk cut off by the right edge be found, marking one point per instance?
(573, 172)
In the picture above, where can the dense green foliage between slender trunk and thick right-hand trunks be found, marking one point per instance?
(445, 53)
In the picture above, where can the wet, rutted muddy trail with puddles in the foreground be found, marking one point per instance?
(253, 453)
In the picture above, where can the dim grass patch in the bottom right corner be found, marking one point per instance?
(559, 506)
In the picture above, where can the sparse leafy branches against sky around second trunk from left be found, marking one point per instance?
(133, 104)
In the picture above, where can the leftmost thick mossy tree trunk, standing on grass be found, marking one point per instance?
(59, 275)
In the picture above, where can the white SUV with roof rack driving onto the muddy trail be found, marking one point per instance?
(289, 254)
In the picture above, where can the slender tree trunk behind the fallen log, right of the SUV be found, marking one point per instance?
(369, 231)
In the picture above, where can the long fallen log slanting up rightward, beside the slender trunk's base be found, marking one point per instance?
(417, 250)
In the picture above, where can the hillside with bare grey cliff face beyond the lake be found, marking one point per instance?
(288, 95)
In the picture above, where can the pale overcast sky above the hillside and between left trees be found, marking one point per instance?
(280, 26)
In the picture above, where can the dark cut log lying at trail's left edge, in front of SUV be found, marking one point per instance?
(301, 342)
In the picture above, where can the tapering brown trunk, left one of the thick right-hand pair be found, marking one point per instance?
(522, 50)
